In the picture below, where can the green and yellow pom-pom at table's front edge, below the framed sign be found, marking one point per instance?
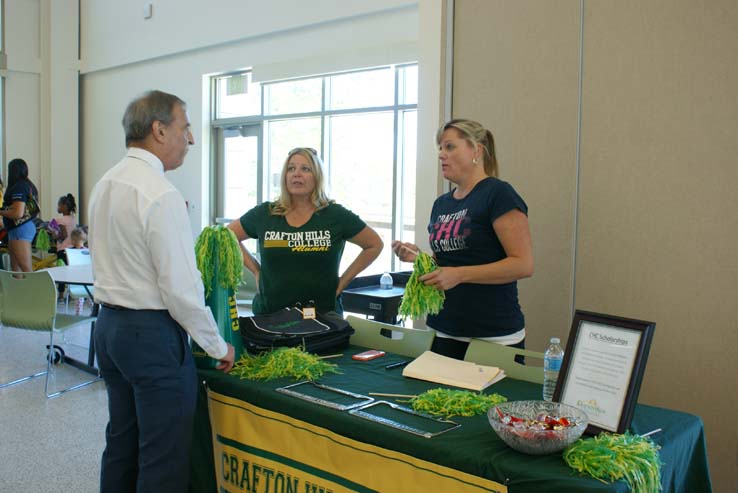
(611, 457)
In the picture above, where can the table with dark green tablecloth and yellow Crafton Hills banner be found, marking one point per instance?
(249, 437)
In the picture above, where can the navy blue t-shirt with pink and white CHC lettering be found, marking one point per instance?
(461, 234)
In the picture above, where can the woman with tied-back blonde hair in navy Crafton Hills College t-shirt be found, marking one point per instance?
(481, 241)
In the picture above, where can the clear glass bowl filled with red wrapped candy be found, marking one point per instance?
(537, 427)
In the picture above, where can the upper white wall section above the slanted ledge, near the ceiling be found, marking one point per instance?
(115, 33)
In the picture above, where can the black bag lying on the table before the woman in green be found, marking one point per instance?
(288, 328)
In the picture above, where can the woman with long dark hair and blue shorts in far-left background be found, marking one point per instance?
(20, 208)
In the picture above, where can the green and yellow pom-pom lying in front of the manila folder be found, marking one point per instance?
(449, 403)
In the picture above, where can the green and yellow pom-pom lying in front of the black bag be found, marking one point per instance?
(282, 362)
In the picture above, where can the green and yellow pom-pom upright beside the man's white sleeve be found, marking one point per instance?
(220, 241)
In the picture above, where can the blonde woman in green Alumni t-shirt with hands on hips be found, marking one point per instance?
(301, 237)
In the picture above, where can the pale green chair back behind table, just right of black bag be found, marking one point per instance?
(411, 342)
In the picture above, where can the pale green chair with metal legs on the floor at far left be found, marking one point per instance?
(28, 302)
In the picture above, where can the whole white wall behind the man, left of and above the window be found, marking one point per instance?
(368, 30)
